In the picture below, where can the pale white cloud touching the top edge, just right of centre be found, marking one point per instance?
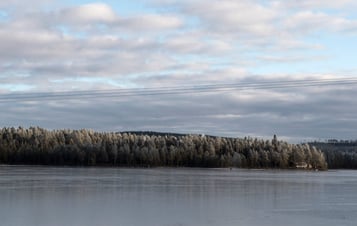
(236, 17)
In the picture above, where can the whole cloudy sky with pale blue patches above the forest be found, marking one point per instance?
(49, 46)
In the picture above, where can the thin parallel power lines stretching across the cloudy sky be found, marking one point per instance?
(175, 90)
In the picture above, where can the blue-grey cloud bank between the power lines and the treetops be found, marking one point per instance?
(315, 113)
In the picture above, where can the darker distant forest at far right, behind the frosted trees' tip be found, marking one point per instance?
(339, 154)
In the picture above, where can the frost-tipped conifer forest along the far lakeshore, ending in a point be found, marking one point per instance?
(38, 146)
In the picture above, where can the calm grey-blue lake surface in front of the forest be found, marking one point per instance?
(48, 196)
